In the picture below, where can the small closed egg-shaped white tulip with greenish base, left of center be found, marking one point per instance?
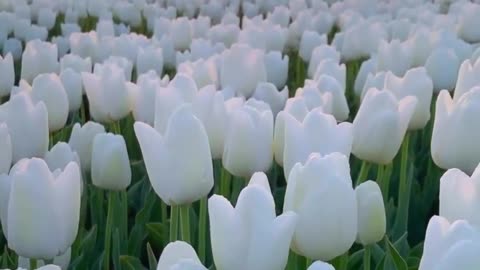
(110, 163)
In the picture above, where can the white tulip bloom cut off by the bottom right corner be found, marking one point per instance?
(450, 245)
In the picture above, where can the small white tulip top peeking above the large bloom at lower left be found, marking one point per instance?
(60, 156)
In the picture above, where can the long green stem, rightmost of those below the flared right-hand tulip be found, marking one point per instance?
(404, 189)
